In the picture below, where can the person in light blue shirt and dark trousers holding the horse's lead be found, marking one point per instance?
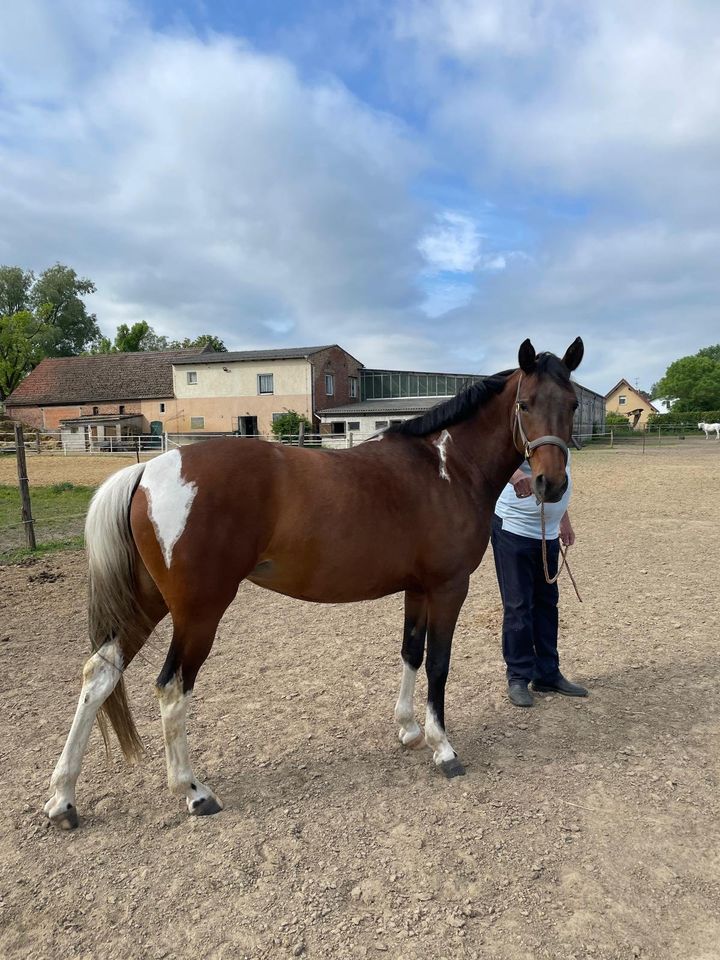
(530, 618)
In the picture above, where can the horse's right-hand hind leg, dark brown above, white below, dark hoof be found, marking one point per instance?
(191, 643)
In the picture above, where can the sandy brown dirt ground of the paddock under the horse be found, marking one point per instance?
(582, 829)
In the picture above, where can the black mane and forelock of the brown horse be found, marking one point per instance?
(464, 404)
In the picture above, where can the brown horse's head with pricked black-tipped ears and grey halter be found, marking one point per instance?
(543, 417)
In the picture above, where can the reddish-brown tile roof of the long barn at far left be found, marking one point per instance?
(101, 378)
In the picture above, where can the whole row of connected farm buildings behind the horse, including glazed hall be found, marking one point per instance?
(101, 399)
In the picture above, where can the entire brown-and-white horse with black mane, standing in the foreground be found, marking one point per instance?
(409, 510)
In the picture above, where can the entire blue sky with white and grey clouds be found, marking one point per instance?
(425, 183)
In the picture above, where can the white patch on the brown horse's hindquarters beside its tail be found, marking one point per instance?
(169, 499)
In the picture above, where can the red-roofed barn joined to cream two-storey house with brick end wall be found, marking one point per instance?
(182, 391)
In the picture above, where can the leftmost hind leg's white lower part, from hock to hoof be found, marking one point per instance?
(100, 675)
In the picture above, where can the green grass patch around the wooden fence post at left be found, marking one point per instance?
(59, 514)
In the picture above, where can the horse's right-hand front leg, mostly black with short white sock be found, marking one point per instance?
(443, 609)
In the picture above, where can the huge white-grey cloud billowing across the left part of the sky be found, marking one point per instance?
(205, 186)
